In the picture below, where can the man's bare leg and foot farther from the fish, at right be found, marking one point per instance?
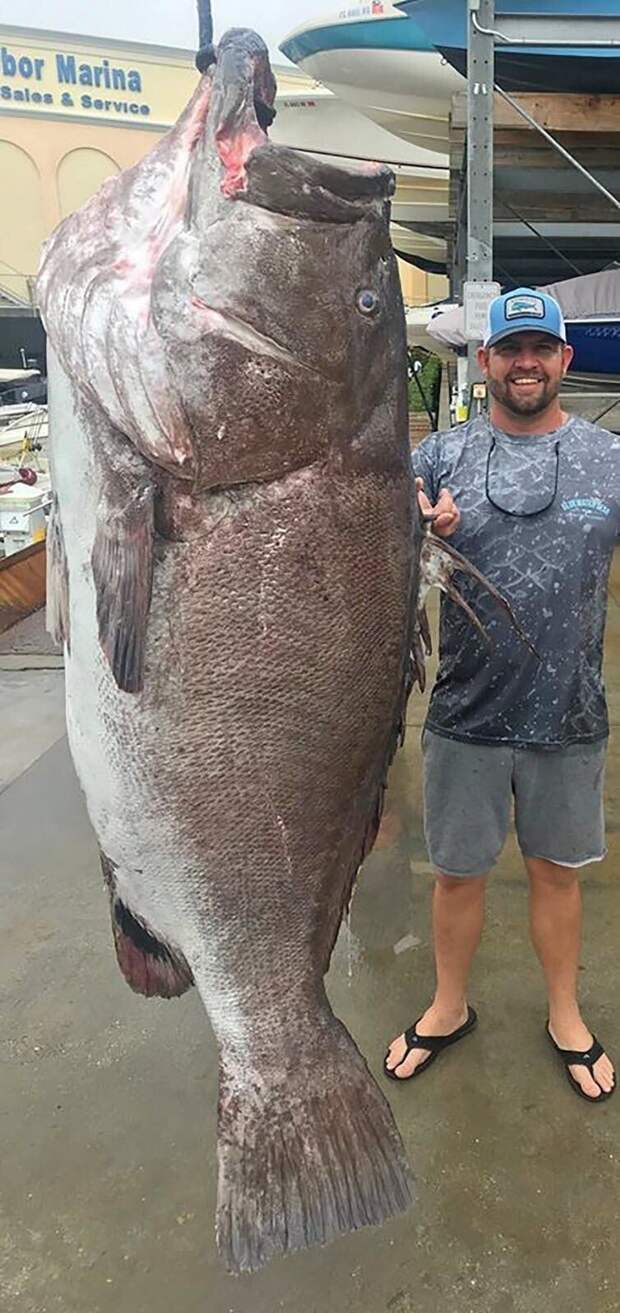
(556, 925)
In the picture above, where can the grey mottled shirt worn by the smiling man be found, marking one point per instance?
(552, 567)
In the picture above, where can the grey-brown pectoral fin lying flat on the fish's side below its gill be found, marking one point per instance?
(123, 573)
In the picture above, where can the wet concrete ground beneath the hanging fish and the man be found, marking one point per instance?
(108, 1102)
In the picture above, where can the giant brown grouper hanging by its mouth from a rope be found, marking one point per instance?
(234, 564)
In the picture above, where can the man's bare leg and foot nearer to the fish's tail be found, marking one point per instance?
(458, 920)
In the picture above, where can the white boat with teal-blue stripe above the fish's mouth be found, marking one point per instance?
(384, 65)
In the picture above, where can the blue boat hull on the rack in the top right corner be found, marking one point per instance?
(526, 69)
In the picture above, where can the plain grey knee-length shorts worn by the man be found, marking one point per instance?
(468, 799)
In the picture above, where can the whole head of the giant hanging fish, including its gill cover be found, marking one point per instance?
(232, 305)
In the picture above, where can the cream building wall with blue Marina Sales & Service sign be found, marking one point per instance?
(56, 153)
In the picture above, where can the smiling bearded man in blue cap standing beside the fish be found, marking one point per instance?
(534, 500)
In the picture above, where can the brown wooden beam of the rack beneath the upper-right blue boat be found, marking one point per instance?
(558, 112)
